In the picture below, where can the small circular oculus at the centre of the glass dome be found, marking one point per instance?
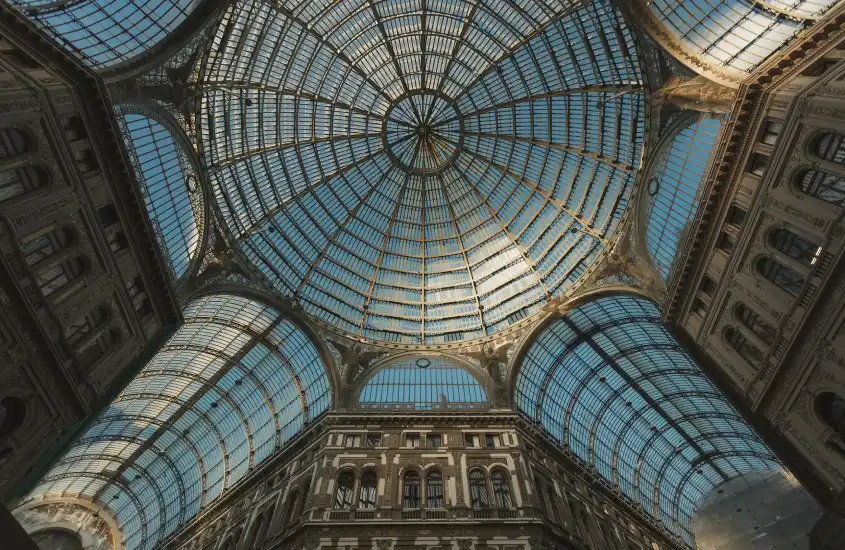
(423, 132)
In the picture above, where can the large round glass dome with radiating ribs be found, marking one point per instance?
(411, 170)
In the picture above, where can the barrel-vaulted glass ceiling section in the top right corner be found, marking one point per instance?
(739, 34)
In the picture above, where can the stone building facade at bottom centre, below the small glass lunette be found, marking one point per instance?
(293, 502)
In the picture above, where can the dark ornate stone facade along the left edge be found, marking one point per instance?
(81, 293)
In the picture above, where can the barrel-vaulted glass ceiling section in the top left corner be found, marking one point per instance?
(106, 32)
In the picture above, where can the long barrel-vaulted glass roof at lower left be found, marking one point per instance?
(231, 386)
